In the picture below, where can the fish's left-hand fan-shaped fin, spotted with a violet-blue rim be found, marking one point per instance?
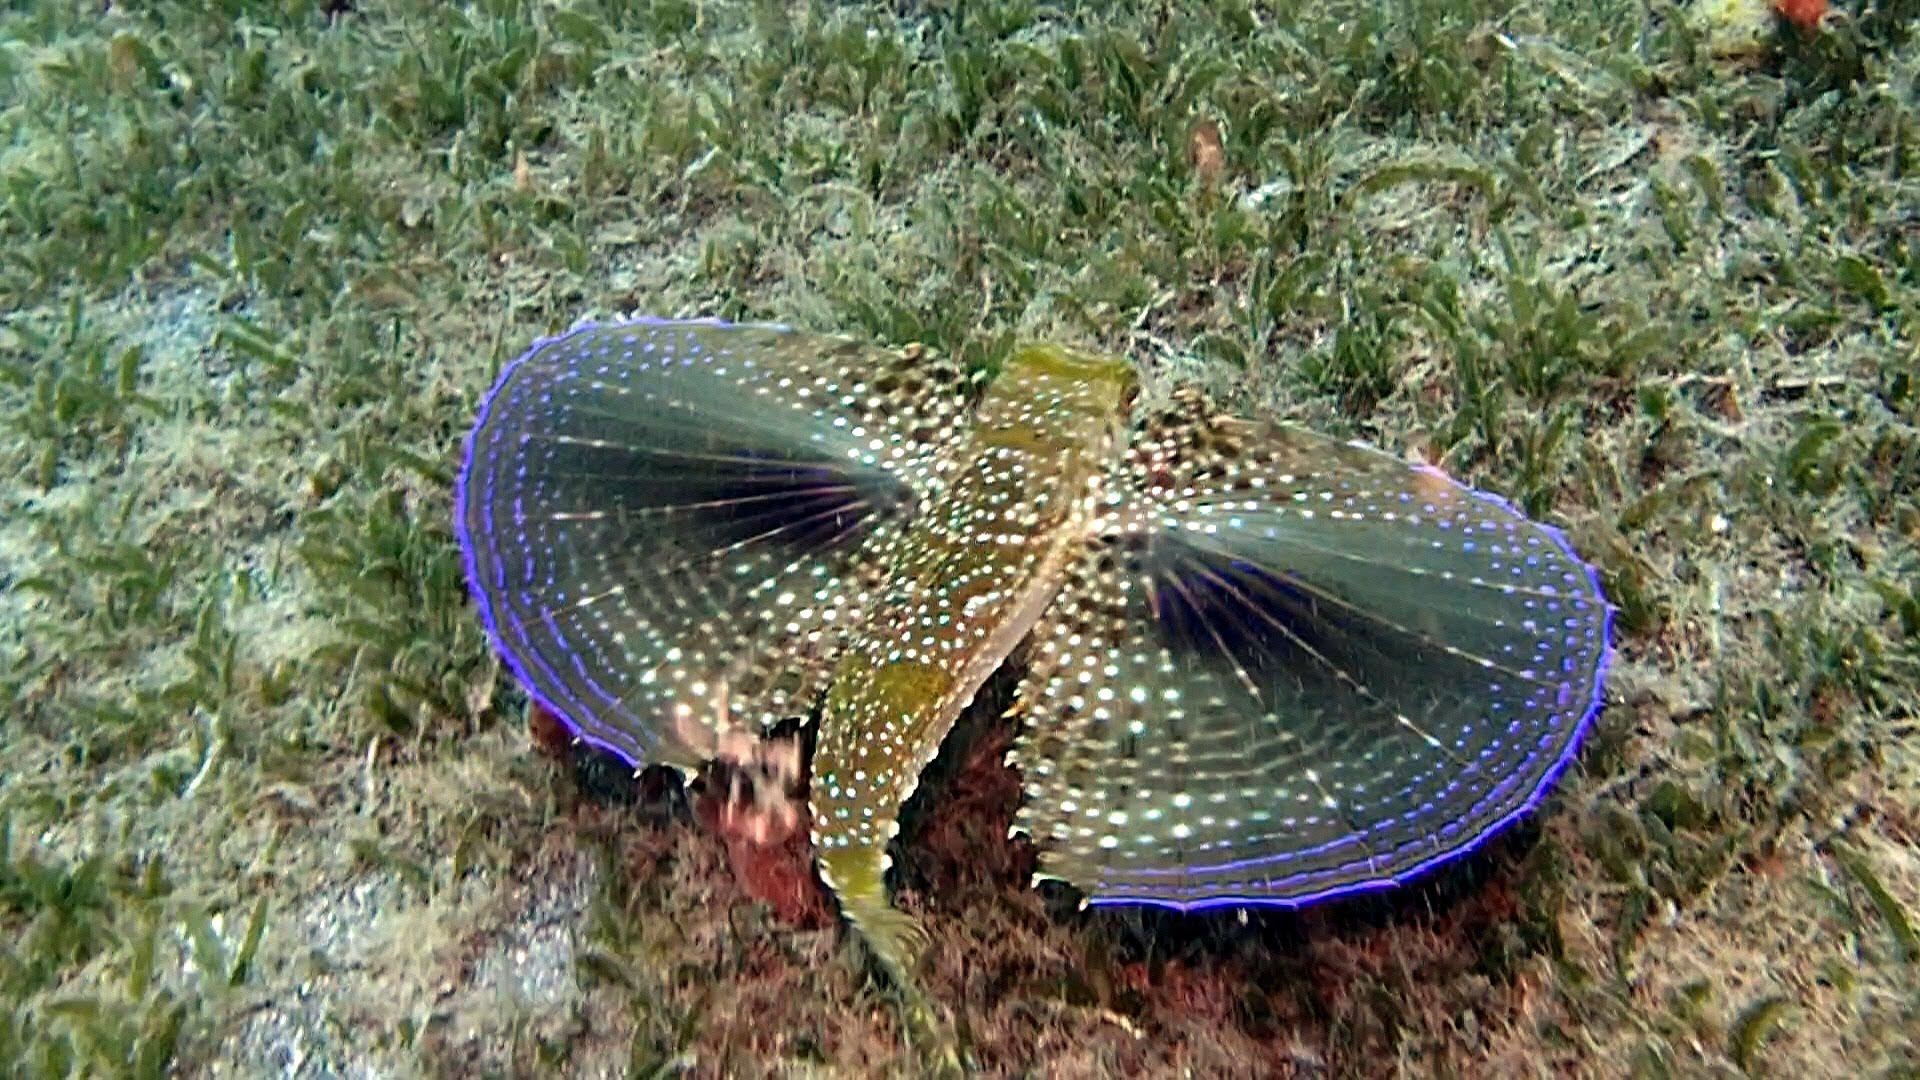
(669, 526)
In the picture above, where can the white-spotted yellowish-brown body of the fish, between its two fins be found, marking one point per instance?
(961, 591)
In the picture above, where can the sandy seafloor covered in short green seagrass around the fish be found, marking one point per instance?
(272, 810)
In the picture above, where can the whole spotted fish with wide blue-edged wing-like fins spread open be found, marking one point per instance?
(1262, 666)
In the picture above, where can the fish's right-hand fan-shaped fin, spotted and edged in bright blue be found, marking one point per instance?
(1299, 668)
